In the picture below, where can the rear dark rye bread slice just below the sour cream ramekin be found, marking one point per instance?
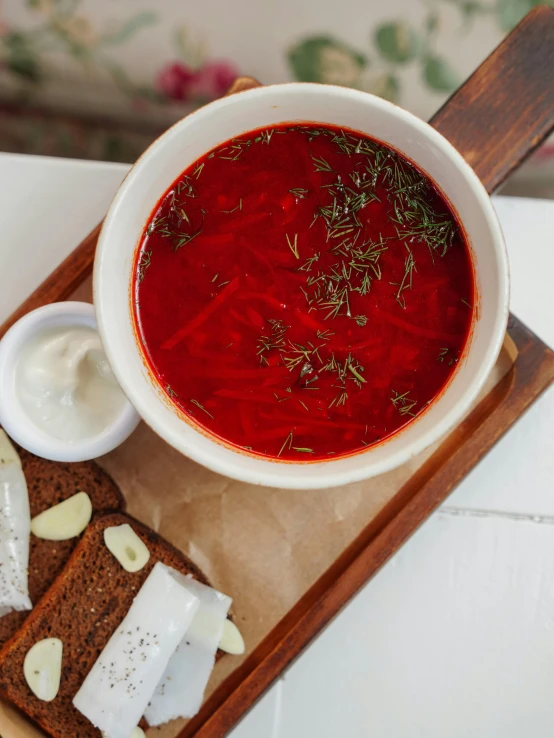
(51, 482)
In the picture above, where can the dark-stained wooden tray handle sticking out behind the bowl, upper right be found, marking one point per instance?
(506, 108)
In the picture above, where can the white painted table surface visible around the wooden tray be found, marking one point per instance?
(454, 638)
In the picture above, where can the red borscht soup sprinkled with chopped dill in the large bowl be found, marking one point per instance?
(303, 292)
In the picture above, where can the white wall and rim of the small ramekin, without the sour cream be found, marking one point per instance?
(13, 417)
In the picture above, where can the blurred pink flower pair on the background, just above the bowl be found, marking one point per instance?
(178, 82)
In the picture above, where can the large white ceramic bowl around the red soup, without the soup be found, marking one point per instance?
(193, 136)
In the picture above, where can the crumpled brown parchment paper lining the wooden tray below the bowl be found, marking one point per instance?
(264, 547)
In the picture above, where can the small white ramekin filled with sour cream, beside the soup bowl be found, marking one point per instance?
(58, 396)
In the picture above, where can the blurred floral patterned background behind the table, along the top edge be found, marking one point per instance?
(101, 78)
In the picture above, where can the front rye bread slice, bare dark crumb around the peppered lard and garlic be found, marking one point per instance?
(83, 608)
